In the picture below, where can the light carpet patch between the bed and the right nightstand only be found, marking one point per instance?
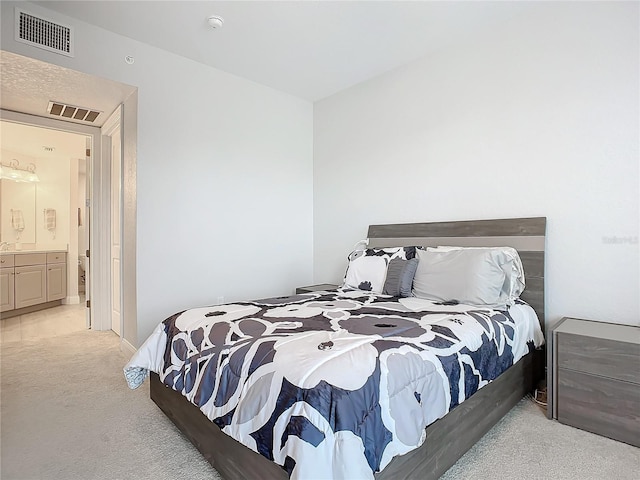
(526, 445)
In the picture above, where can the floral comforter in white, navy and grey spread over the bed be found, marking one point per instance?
(333, 384)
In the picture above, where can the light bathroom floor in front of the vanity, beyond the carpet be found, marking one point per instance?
(50, 322)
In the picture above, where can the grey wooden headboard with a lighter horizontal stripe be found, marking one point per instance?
(526, 235)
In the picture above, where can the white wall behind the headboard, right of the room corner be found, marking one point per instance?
(537, 118)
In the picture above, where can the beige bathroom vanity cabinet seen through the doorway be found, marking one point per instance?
(31, 281)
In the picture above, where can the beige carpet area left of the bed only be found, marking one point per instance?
(68, 414)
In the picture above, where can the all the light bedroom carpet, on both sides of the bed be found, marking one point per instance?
(67, 414)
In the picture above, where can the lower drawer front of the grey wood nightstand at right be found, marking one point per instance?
(600, 405)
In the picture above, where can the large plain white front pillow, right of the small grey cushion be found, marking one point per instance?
(469, 276)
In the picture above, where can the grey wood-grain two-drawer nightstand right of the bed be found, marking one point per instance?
(596, 378)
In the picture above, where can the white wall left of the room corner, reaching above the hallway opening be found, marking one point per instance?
(224, 174)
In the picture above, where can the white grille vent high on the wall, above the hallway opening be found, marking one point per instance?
(43, 33)
